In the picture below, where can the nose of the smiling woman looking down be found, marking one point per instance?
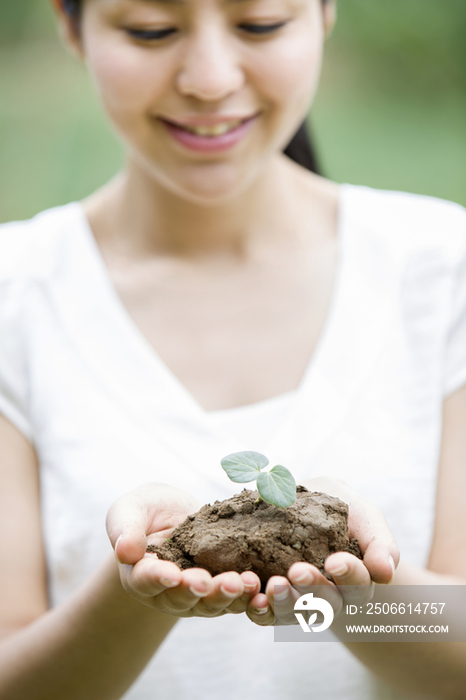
(211, 69)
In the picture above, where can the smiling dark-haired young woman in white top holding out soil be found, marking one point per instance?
(217, 296)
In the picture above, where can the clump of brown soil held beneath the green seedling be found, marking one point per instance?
(241, 534)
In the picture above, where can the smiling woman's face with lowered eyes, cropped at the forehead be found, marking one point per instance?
(204, 92)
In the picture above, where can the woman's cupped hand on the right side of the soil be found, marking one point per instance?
(353, 579)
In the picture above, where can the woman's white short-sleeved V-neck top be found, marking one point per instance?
(105, 414)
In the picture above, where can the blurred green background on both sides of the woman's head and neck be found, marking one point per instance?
(390, 113)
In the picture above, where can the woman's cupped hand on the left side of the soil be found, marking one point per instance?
(148, 515)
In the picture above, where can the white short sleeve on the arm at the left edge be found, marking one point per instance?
(14, 392)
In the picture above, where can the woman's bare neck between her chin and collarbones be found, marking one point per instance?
(137, 217)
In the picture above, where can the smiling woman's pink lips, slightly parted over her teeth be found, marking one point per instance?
(210, 138)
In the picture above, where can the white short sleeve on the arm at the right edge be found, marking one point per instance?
(455, 350)
